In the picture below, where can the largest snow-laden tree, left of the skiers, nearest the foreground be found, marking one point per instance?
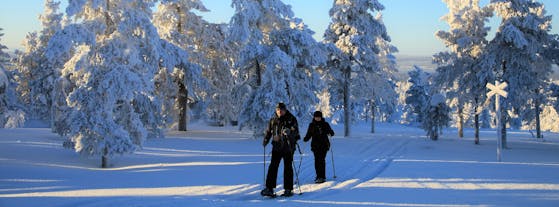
(108, 81)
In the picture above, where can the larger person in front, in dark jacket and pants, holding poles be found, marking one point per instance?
(283, 130)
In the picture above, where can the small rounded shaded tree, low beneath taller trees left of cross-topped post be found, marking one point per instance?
(436, 116)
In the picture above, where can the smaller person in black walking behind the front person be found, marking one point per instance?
(318, 131)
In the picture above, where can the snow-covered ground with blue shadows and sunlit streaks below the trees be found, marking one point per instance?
(210, 166)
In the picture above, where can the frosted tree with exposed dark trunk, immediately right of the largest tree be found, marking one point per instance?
(177, 22)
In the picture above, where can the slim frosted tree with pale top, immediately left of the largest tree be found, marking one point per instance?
(37, 75)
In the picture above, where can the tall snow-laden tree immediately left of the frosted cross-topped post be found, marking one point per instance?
(457, 73)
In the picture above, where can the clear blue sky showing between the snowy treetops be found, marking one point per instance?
(411, 23)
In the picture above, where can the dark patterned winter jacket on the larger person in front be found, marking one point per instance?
(284, 132)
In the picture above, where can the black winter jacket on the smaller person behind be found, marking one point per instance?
(319, 131)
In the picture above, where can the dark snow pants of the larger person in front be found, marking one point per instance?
(271, 178)
